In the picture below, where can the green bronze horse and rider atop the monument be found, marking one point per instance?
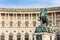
(43, 16)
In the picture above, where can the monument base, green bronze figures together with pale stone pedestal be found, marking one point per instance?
(43, 32)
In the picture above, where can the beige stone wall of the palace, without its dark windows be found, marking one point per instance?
(53, 17)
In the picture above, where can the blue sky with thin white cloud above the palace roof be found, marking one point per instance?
(29, 3)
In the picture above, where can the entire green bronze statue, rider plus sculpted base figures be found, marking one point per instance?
(43, 27)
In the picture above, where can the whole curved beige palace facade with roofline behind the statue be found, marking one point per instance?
(20, 24)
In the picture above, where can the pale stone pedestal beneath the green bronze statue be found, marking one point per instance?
(44, 36)
